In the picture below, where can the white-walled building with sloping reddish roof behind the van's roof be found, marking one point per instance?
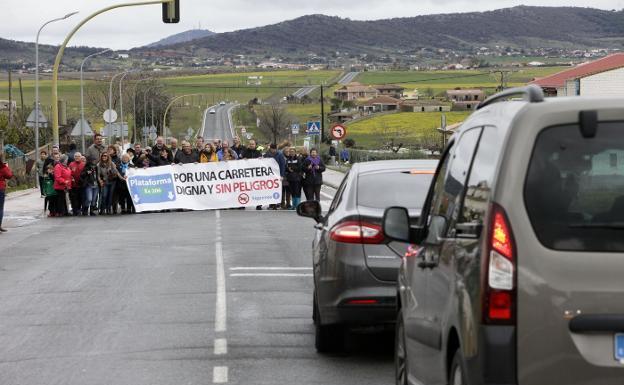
(602, 77)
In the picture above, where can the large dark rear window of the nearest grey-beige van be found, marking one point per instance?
(574, 190)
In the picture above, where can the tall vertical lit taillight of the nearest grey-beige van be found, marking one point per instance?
(499, 299)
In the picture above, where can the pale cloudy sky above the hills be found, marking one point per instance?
(131, 27)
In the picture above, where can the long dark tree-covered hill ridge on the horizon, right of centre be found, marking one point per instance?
(527, 27)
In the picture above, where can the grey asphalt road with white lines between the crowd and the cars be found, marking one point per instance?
(170, 298)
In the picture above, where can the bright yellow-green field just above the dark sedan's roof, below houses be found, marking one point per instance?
(409, 128)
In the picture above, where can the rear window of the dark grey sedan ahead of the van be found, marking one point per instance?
(397, 188)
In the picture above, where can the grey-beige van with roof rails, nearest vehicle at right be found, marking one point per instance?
(517, 276)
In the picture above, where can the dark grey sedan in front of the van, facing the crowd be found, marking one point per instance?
(355, 266)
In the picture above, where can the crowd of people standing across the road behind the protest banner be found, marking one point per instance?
(94, 183)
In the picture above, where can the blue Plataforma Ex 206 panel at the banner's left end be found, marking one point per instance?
(152, 189)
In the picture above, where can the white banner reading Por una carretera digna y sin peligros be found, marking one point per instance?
(204, 186)
